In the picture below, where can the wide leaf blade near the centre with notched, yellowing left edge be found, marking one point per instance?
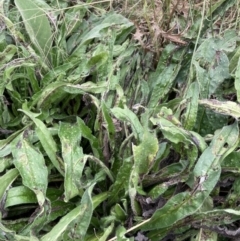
(145, 153)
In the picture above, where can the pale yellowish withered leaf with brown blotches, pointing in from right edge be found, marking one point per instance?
(222, 107)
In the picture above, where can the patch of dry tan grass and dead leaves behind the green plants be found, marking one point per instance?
(158, 22)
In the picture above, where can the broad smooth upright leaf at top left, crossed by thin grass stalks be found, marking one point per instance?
(37, 25)
